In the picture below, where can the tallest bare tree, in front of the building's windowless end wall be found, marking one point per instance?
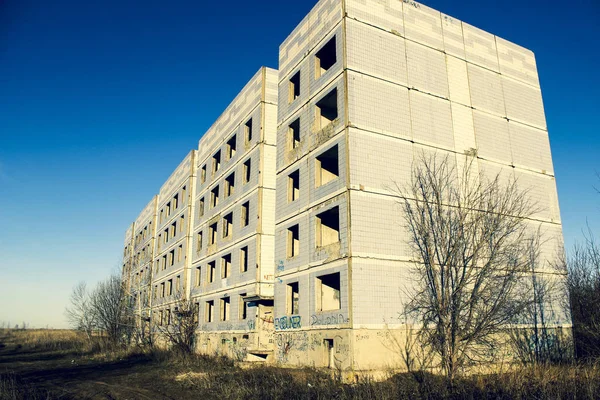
(471, 242)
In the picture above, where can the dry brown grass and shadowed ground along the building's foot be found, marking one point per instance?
(43, 364)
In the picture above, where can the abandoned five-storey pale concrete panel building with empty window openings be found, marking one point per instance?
(282, 227)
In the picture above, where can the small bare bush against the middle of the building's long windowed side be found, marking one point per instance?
(179, 326)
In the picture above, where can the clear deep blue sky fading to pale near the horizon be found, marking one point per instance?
(100, 100)
